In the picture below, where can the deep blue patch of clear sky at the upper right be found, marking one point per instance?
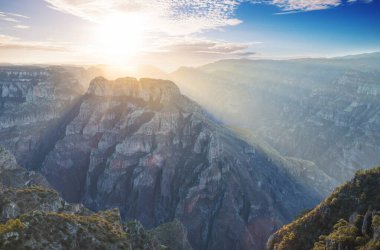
(345, 29)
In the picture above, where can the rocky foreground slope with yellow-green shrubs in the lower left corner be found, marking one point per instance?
(36, 217)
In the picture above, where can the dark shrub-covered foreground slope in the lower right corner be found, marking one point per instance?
(348, 219)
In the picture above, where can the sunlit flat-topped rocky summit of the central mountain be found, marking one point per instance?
(146, 89)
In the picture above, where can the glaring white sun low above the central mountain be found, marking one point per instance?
(118, 38)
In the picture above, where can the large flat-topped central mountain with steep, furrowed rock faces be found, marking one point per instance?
(144, 148)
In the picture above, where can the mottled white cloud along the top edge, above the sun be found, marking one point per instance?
(177, 17)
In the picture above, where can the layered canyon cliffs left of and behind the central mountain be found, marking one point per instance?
(34, 104)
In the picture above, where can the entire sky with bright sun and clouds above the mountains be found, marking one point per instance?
(173, 33)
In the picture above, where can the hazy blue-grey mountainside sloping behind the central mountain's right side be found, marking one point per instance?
(324, 111)
